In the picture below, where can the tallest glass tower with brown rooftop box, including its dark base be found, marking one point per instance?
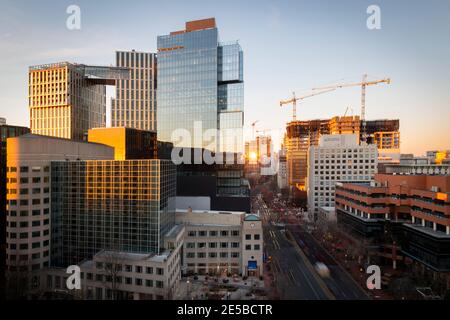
(201, 107)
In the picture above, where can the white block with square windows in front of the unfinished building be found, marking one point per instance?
(337, 158)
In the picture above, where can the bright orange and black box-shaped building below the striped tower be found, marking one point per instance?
(128, 143)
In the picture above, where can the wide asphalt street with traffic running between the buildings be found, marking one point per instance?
(292, 263)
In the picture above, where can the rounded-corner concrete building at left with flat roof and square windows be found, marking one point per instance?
(28, 188)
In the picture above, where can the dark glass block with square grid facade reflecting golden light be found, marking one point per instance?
(110, 205)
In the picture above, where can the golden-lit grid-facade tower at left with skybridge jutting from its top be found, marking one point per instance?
(67, 99)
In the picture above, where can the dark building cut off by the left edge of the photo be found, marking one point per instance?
(6, 131)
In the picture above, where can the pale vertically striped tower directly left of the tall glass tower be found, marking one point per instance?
(135, 103)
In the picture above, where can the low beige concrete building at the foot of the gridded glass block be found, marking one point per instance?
(115, 275)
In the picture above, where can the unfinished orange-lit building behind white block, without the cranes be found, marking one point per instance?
(300, 135)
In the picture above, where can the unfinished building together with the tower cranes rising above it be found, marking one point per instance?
(300, 135)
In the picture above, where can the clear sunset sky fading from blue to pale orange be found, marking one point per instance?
(288, 46)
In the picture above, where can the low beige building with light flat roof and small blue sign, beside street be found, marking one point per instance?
(221, 243)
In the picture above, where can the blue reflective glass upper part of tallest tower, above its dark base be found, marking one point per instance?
(200, 83)
